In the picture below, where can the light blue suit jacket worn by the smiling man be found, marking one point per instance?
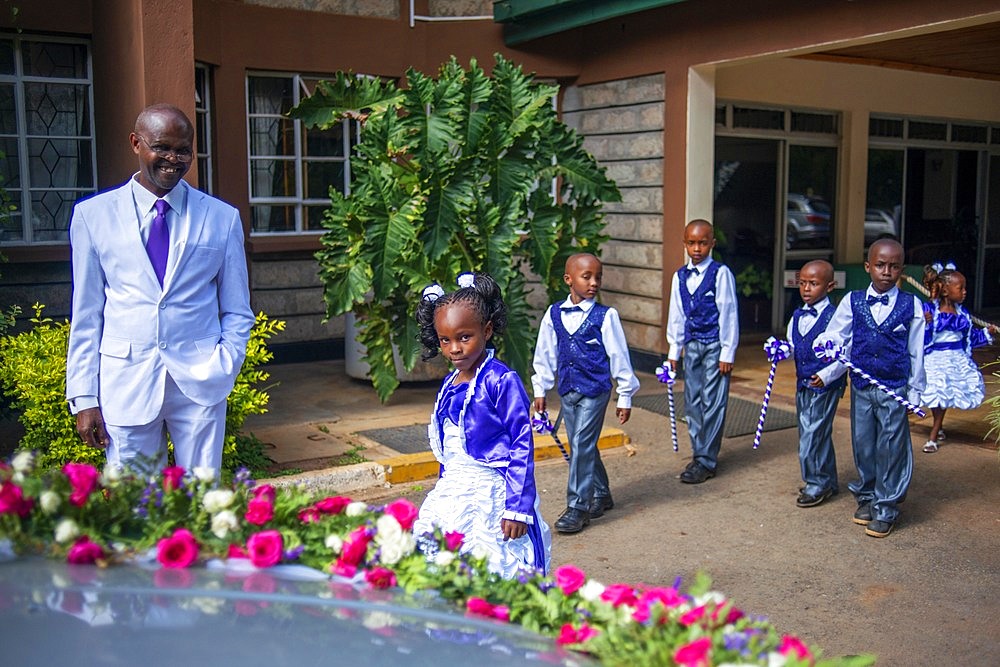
(127, 333)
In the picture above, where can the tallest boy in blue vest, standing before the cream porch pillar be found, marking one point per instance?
(702, 321)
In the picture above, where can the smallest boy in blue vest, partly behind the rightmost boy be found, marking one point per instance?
(819, 385)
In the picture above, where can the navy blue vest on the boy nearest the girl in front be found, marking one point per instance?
(582, 367)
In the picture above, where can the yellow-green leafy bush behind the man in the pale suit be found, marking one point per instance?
(33, 377)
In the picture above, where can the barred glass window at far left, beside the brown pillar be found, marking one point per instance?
(47, 159)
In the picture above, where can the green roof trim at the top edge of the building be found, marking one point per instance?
(525, 20)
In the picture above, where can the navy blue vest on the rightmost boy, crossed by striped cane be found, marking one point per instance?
(879, 350)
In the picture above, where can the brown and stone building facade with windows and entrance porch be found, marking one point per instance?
(802, 130)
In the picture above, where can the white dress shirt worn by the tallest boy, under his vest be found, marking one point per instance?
(725, 300)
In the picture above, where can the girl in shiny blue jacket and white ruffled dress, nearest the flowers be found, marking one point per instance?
(480, 433)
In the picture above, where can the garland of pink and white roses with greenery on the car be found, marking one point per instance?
(186, 518)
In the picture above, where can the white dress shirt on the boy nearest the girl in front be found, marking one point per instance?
(547, 356)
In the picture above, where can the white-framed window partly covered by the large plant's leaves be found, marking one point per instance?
(292, 167)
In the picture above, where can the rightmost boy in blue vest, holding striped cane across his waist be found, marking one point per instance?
(883, 329)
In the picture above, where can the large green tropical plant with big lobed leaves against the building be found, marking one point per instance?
(465, 172)
